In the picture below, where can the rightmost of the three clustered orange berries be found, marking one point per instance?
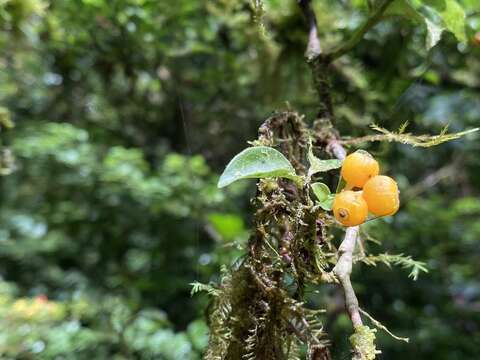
(382, 196)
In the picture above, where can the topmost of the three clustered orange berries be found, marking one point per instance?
(358, 167)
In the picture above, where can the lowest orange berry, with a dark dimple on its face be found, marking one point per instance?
(350, 208)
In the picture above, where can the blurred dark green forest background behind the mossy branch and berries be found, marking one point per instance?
(126, 112)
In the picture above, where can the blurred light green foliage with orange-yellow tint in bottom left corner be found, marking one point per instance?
(50, 329)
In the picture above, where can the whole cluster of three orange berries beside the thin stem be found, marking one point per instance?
(377, 194)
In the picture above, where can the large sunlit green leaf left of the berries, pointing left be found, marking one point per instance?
(258, 162)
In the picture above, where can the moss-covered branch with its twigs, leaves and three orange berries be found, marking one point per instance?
(258, 308)
